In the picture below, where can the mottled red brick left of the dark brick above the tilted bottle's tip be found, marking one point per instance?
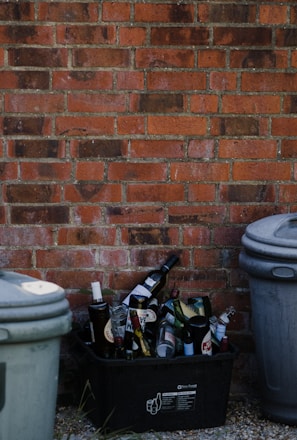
(97, 236)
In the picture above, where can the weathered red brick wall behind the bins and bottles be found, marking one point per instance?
(132, 129)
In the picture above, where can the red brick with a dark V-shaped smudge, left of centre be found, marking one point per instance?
(93, 192)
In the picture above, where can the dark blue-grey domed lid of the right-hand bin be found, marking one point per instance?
(274, 237)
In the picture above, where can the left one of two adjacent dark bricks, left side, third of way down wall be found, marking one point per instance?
(36, 148)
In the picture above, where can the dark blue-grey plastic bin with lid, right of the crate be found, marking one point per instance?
(270, 259)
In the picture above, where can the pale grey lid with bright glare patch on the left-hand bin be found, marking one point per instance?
(24, 298)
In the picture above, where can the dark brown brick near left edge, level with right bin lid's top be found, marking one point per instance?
(41, 215)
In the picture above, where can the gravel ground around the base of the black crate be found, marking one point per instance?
(243, 422)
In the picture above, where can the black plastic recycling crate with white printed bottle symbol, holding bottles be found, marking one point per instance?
(153, 393)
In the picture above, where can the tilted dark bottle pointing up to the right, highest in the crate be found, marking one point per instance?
(154, 281)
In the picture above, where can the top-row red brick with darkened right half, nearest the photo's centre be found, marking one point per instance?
(175, 13)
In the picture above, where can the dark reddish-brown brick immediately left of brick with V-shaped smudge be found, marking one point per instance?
(32, 193)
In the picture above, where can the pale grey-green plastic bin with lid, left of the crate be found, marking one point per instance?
(34, 315)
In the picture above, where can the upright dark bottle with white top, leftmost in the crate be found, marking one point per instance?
(99, 316)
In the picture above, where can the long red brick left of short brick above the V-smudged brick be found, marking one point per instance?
(39, 171)
